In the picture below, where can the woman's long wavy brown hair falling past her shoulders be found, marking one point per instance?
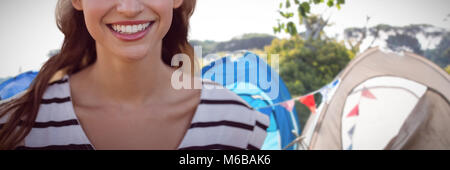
(77, 52)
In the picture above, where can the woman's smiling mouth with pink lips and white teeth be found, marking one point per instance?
(130, 30)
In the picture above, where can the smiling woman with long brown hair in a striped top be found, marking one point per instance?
(110, 87)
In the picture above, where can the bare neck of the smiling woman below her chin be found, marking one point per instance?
(133, 81)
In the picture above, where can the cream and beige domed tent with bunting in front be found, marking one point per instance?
(384, 101)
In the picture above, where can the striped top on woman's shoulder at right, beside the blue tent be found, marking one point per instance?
(225, 121)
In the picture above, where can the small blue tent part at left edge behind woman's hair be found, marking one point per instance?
(16, 85)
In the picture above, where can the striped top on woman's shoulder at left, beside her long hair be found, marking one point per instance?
(56, 125)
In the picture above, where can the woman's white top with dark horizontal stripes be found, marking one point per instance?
(222, 121)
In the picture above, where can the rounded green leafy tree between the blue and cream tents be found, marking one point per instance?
(307, 65)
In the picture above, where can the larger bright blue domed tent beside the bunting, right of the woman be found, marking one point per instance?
(244, 69)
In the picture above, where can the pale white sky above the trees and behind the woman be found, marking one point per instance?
(28, 30)
